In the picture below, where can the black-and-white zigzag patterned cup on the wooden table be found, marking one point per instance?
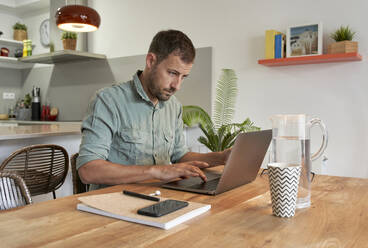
(284, 181)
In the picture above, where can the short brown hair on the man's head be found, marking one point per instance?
(172, 41)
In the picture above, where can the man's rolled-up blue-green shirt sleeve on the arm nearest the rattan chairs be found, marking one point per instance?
(98, 129)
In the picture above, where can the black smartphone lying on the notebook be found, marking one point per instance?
(162, 208)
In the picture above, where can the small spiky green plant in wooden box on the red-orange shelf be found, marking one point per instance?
(344, 44)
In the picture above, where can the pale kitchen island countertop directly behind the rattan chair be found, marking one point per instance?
(24, 131)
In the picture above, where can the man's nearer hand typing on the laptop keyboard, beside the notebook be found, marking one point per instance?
(184, 170)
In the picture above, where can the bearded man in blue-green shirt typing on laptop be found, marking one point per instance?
(133, 131)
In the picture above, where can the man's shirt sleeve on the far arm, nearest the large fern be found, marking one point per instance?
(180, 148)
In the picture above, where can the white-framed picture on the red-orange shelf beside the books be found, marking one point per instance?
(304, 40)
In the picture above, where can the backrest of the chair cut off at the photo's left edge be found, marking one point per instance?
(13, 191)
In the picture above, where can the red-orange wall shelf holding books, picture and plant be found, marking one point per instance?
(316, 59)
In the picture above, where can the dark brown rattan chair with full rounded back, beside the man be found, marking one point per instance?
(43, 167)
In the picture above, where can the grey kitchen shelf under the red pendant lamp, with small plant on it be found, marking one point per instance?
(63, 56)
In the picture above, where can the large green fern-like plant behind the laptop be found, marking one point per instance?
(220, 132)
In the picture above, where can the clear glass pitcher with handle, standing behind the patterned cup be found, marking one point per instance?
(291, 144)
